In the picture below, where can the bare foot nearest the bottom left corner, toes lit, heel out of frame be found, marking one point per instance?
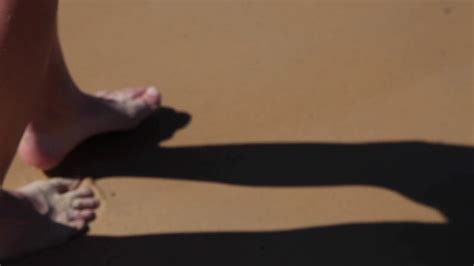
(43, 214)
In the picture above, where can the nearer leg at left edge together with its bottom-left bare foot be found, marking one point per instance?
(43, 213)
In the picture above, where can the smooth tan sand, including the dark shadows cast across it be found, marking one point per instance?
(294, 133)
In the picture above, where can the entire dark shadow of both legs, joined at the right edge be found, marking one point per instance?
(434, 174)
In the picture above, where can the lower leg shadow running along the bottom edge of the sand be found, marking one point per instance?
(358, 244)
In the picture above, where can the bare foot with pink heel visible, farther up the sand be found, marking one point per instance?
(60, 127)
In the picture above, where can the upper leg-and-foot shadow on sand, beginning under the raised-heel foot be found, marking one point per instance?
(438, 175)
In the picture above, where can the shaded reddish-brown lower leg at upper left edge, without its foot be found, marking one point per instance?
(23, 64)
